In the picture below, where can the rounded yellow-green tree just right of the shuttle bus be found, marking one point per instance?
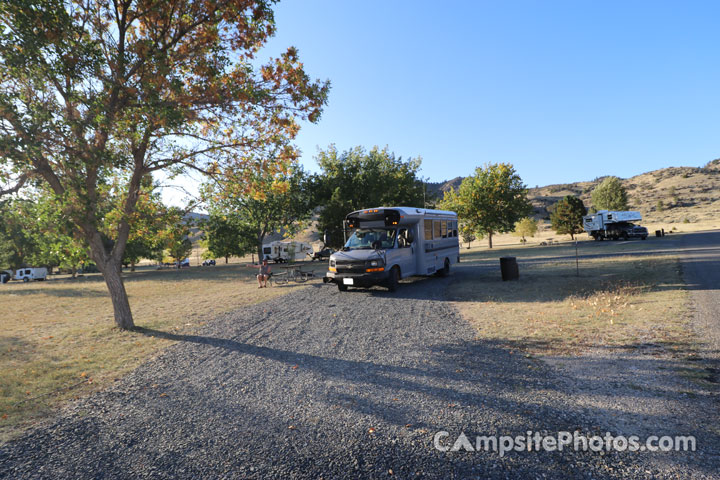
(490, 201)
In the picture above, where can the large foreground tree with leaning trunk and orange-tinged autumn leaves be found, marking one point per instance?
(93, 90)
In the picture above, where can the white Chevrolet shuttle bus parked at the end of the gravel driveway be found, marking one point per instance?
(390, 243)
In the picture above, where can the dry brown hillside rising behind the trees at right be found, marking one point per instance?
(673, 195)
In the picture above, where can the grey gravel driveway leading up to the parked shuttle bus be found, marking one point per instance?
(322, 384)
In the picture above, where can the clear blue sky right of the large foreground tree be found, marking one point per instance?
(564, 90)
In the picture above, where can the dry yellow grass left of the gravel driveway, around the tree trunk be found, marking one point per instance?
(59, 342)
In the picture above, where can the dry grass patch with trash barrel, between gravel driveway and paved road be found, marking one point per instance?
(620, 301)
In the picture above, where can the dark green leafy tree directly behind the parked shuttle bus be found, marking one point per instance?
(358, 178)
